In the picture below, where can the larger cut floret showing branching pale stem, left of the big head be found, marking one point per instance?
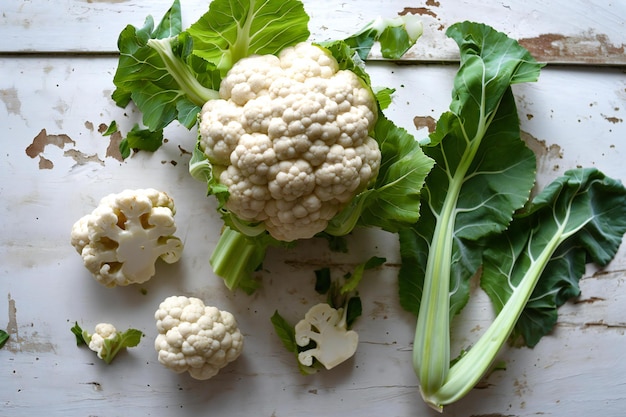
(121, 240)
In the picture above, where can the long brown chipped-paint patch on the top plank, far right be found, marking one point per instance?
(587, 47)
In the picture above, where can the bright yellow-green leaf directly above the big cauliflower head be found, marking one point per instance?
(234, 29)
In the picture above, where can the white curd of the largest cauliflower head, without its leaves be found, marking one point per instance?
(290, 139)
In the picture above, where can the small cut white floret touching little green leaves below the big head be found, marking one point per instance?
(326, 327)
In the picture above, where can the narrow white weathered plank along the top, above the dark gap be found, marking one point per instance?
(564, 32)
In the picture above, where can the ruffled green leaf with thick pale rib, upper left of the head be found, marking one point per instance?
(155, 70)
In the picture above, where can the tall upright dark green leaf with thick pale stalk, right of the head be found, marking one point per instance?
(483, 173)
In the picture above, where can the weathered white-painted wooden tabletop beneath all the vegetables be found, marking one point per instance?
(56, 67)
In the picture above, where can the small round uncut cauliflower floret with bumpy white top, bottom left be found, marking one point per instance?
(196, 338)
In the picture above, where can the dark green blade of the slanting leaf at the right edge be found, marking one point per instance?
(580, 217)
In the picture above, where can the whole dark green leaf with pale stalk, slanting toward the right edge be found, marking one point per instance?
(583, 214)
